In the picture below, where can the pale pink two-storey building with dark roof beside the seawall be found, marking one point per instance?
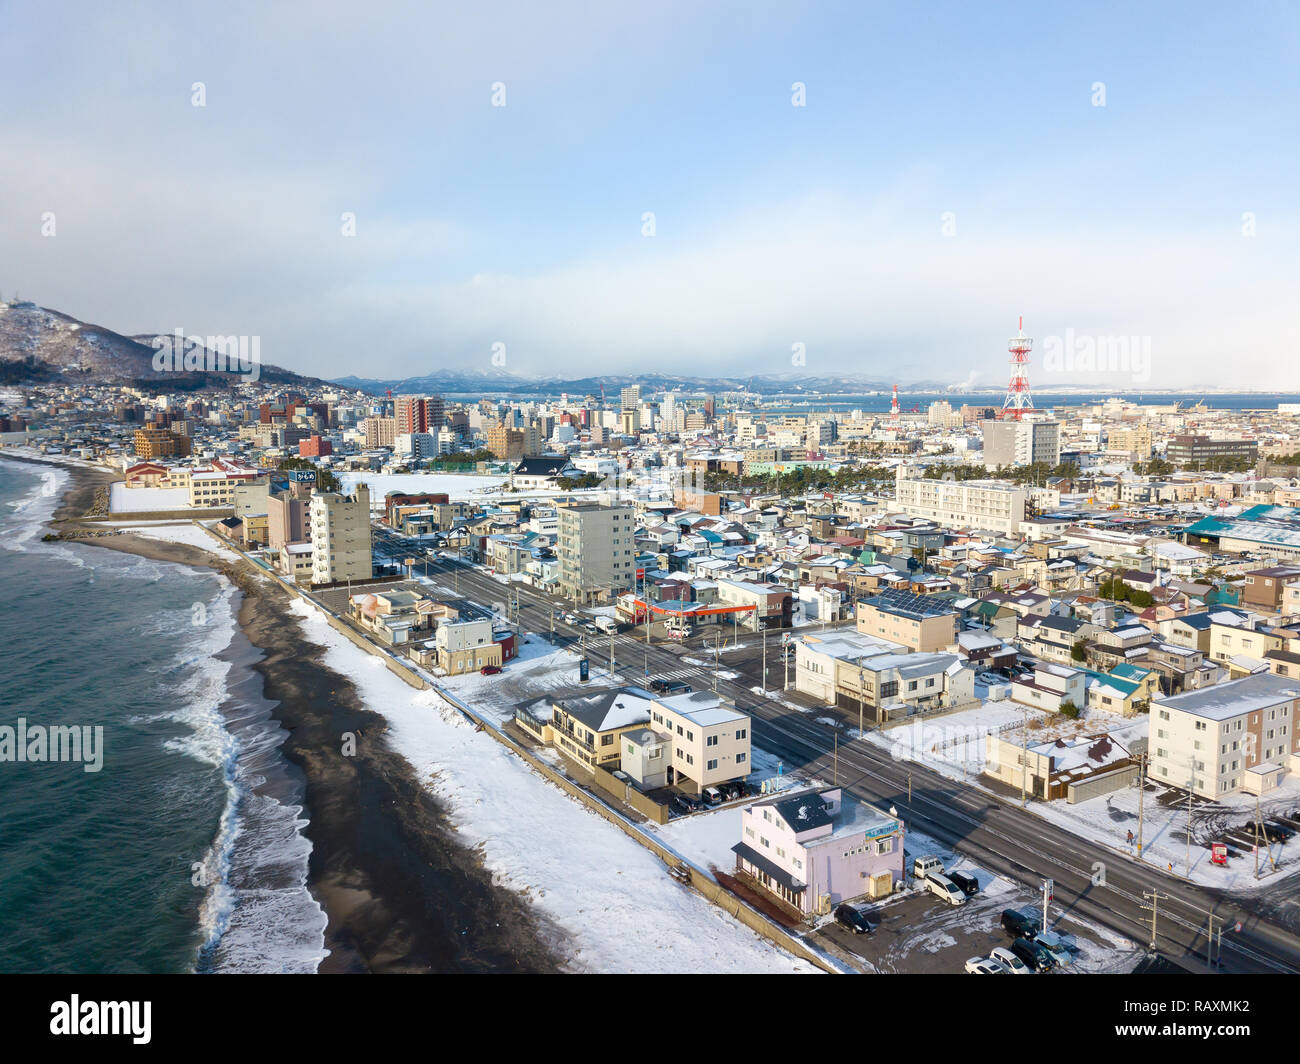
(817, 849)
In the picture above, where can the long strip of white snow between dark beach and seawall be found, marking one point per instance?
(622, 910)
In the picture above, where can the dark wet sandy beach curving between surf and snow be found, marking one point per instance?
(400, 892)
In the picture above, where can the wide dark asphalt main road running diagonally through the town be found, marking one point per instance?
(1091, 881)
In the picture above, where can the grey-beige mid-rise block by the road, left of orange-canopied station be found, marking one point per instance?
(596, 552)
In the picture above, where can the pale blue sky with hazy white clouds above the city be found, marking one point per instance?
(950, 171)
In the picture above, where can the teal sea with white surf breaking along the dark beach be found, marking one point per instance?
(185, 851)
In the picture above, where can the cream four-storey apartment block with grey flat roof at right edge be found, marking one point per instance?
(1241, 736)
